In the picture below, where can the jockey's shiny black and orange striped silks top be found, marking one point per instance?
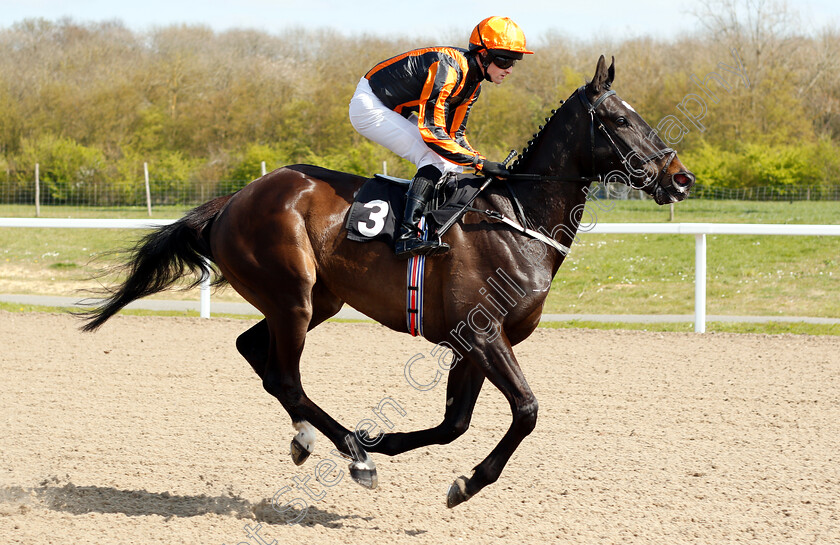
(440, 85)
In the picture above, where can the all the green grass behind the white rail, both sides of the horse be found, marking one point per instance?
(603, 274)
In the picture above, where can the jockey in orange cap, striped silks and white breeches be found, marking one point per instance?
(416, 105)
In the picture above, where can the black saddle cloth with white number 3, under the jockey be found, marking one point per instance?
(377, 210)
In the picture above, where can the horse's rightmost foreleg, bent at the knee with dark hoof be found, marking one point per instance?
(500, 366)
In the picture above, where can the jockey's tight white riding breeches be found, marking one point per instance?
(386, 127)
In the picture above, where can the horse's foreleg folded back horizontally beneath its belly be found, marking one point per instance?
(462, 389)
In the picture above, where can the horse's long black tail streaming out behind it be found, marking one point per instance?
(159, 259)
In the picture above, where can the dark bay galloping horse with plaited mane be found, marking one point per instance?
(281, 244)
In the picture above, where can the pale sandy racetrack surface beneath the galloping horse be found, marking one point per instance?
(154, 430)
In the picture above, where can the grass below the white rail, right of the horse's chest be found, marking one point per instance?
(654, 274)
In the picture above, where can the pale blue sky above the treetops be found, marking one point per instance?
(433, 19)
